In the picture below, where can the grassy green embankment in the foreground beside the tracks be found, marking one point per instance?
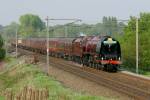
(16, 77)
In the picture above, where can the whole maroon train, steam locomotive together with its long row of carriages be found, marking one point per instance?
(94, 51)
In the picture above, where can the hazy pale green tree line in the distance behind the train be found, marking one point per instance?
(32, 26)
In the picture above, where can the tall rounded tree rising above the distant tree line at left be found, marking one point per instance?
(30, 24)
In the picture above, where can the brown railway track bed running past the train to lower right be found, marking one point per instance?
(134, 86)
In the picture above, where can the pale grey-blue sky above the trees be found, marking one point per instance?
(89, 11)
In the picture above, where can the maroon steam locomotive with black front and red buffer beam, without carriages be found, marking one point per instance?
(97, 51)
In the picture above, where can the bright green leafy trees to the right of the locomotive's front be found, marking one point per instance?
(128, 42)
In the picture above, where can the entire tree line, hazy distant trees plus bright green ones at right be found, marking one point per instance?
(32, 26)
